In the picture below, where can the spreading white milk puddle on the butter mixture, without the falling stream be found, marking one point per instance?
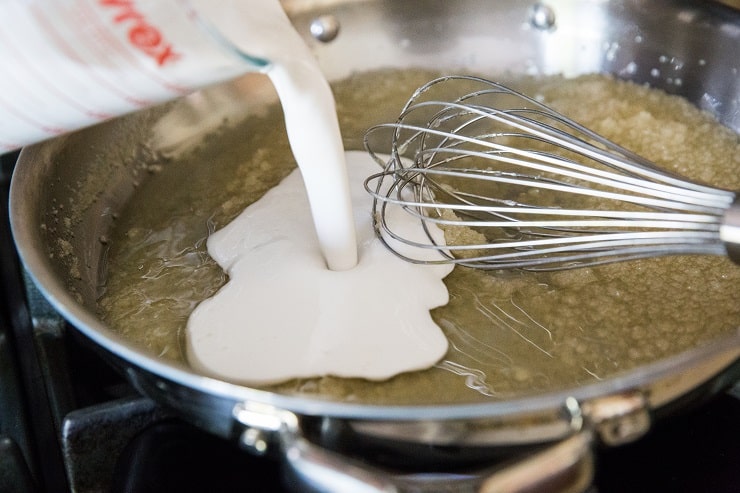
(284, 315)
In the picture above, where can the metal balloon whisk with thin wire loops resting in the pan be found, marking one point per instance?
(522, 186)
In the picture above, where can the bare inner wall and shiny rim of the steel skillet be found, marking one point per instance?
(91, 174)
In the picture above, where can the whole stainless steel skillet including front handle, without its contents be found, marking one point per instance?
(92, 173)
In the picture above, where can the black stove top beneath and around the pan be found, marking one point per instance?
(69, 423)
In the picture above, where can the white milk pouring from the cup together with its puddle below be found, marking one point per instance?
(311, 291)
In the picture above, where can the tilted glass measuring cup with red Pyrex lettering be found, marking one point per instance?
(73, 63)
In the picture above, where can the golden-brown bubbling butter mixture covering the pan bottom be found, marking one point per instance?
(510, 334)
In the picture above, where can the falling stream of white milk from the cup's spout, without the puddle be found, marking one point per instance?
(262, 29)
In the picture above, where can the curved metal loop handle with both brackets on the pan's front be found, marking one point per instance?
(564, 467)
